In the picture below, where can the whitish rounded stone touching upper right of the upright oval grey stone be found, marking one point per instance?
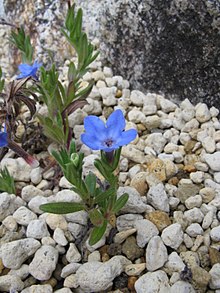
(173, 235)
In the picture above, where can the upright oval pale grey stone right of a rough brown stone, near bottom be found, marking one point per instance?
(156, 254)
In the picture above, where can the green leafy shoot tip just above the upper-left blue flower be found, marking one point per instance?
(23, 43)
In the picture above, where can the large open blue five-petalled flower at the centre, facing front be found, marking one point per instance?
(109, 136)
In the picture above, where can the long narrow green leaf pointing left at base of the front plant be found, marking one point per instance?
(62, 207)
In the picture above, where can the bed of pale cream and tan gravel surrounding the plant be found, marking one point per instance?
(167, 237)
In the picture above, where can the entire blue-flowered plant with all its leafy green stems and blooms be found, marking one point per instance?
(36, 84)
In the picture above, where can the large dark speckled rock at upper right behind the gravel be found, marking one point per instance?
(170, 46)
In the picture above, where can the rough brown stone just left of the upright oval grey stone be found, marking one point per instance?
(131, 249)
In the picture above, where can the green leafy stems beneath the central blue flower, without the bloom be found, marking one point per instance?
(100, 202)
